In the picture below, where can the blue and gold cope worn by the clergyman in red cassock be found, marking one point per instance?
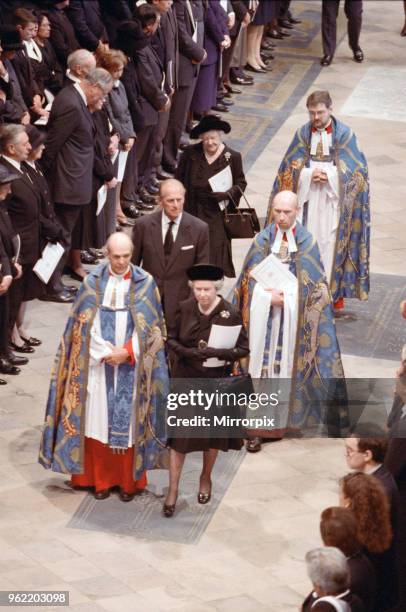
(63, 437)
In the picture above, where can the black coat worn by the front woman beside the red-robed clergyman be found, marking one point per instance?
(190, 327)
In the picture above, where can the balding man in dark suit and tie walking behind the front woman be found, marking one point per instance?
(168, 242)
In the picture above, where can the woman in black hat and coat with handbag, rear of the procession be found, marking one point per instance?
(198, 167)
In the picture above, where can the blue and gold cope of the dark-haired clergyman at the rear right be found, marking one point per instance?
(350, 267)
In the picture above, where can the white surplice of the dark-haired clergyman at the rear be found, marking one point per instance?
(323, 212)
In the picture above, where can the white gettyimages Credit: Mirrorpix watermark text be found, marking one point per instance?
(207, 403)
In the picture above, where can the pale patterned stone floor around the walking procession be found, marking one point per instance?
(251, 554)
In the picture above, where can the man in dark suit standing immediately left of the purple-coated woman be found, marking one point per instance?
(190, 20)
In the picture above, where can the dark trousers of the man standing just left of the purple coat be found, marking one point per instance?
(177, 121)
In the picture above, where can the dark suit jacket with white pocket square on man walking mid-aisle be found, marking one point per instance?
(191, 247)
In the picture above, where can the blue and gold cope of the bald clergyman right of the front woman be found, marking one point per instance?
(317, 378)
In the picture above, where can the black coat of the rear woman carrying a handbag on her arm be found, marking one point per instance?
(194, 172)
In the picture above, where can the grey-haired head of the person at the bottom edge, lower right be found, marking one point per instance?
(328, 570)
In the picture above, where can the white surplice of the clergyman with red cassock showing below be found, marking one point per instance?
(96, 425)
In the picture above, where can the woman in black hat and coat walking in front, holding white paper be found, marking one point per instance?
(188, 346)
